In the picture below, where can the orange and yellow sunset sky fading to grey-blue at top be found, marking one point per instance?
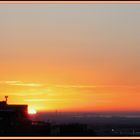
(71, 57)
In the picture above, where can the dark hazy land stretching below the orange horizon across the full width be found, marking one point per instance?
(71, 124)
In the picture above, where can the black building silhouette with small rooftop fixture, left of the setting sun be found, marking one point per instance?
(15, 121)
